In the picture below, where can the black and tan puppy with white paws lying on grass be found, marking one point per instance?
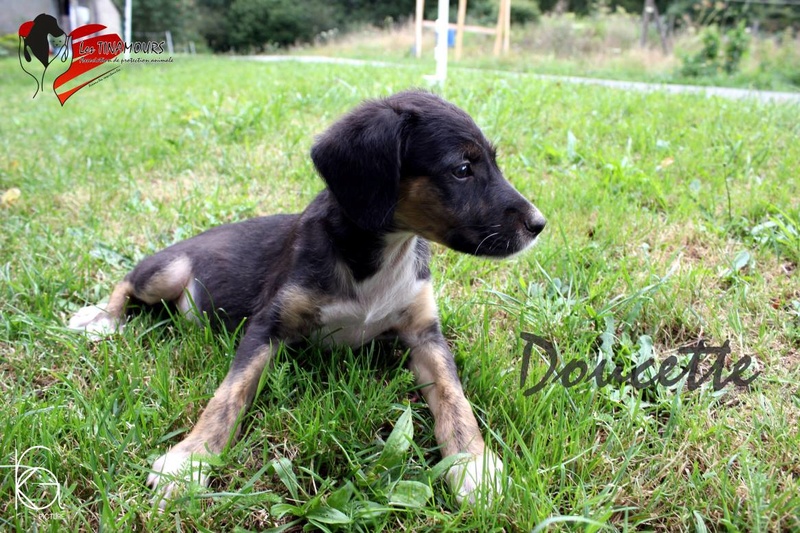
(350, 268)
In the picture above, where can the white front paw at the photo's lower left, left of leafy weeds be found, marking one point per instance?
(173, 471)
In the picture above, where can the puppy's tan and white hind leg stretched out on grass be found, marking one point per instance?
(161, 277)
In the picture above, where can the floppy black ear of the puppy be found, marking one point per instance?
(359, 157)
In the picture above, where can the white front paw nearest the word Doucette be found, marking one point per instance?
(476, 479)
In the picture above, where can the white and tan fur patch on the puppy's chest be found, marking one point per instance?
(378, 301)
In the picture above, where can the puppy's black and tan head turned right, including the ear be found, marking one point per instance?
(414, 162)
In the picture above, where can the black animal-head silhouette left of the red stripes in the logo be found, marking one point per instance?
(36, 40)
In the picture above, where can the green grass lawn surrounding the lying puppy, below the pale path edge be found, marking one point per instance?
(671, 218)
